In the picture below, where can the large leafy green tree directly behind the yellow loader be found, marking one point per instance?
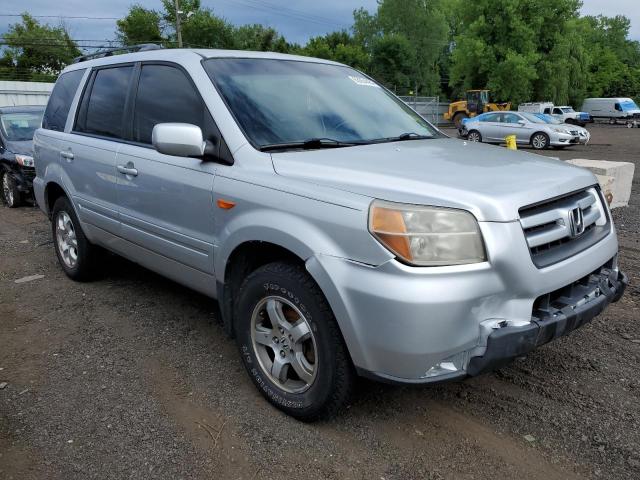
(517, 48)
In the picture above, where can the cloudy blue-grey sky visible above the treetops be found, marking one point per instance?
(297, 20)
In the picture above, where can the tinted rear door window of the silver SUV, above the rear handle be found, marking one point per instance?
(102, 111)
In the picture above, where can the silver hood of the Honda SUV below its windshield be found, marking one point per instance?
(491, 182)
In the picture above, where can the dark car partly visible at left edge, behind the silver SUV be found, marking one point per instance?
(17, 126)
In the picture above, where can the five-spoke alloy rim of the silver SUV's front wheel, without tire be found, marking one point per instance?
(284, 344)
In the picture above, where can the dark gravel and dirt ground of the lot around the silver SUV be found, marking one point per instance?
(131, 376)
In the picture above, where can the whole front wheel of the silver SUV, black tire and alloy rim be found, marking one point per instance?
(290, 342)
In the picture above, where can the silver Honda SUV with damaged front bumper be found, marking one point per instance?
(341, 233)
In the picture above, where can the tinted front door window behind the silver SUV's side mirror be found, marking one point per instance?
(166, 95)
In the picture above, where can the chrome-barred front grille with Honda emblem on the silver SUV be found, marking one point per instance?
(564, 226)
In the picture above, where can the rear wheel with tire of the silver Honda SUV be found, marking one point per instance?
(75, 253)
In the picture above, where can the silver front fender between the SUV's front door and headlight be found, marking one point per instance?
(301, 224)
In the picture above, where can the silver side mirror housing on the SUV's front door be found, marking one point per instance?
(178, 139)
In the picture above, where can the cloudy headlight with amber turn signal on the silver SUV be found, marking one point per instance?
(427, 236)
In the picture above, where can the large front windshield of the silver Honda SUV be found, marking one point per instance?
(283, 102)
